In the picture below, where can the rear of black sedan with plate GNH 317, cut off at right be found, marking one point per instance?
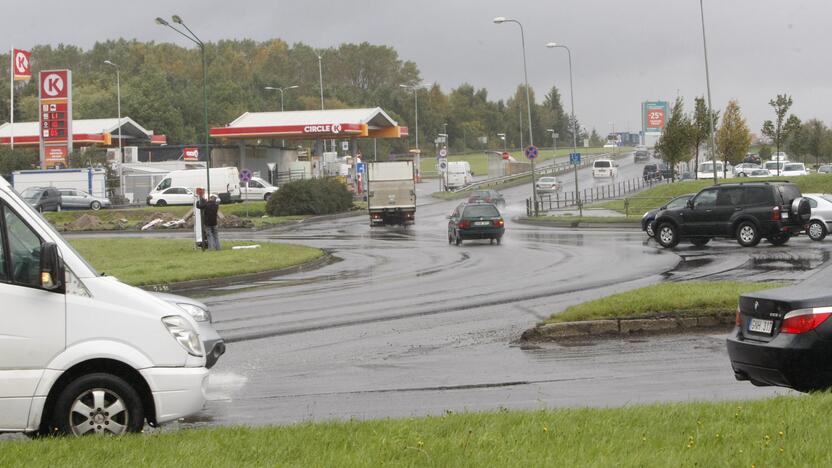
(783, 338)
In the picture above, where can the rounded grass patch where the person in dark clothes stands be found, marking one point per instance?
(143, 262)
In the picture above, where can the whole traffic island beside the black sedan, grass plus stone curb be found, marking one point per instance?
(660, 308)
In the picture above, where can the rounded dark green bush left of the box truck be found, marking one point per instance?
(305, 197)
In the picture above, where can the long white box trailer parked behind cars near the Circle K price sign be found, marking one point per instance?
(92, 181)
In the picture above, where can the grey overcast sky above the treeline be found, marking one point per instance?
(624, 52)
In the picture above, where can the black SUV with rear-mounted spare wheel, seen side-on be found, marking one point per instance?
(747, 212)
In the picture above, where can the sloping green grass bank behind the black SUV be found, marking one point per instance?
(659, 195)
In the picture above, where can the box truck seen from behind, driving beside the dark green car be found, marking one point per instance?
(391, 193)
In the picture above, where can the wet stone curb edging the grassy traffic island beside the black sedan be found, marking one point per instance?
(624, 327)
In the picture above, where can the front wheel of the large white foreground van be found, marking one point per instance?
(98, 403)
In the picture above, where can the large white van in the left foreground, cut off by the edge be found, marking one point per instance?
(82, 353)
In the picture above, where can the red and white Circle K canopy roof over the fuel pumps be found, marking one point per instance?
(310, 125)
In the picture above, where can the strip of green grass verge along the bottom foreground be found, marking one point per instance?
(780, 431)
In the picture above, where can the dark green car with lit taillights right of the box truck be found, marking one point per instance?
(475, 221)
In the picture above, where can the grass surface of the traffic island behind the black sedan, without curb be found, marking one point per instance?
(689, 298)
